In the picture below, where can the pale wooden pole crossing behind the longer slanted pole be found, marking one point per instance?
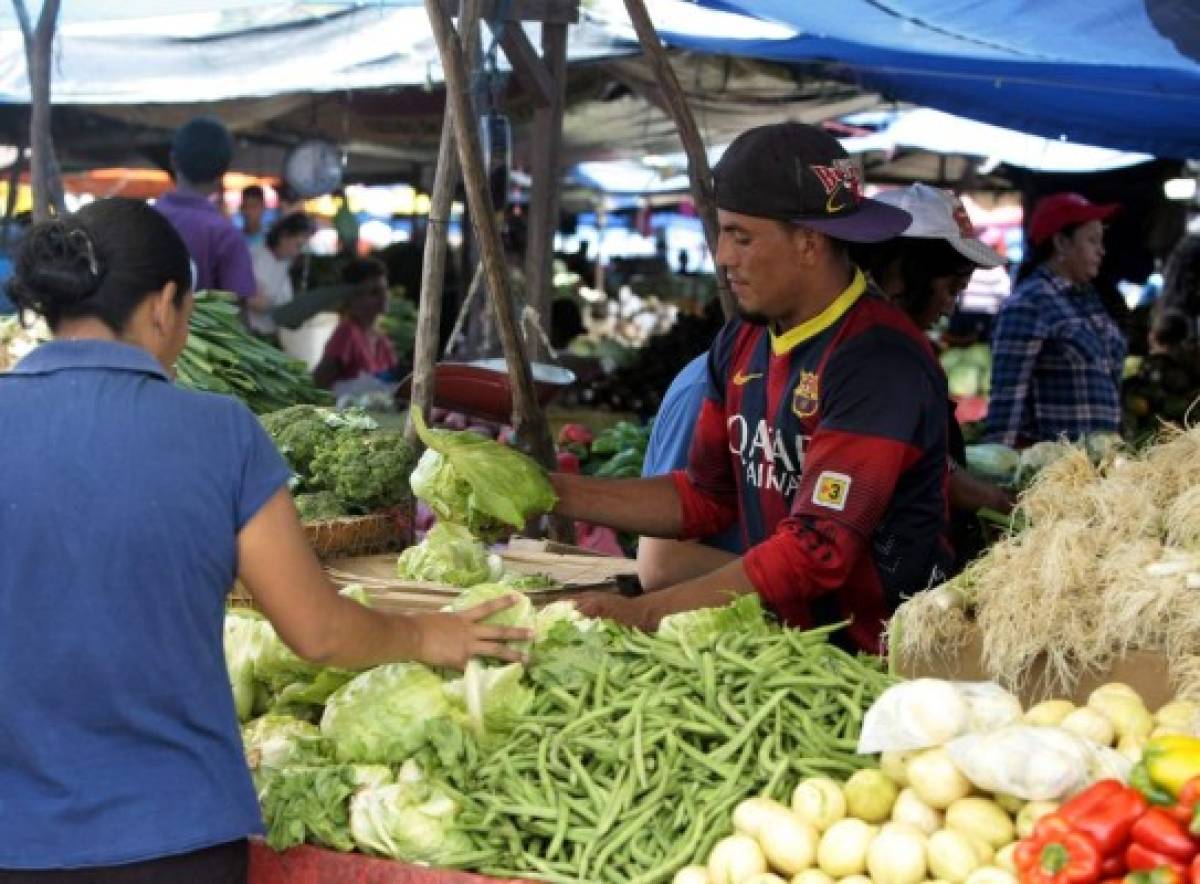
(437, 237)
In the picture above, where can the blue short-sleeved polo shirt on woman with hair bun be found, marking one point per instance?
(122, 497)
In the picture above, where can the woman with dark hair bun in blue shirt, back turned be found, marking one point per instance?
(129, 509)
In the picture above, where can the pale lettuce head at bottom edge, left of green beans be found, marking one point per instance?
(409, 821)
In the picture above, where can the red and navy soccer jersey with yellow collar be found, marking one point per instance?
(829, 446)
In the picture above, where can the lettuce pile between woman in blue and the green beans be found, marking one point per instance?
(339, 759)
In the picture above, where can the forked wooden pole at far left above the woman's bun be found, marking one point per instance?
(46, 182)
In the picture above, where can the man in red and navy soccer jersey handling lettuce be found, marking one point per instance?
(823, 434)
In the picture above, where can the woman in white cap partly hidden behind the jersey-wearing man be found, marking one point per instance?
(925, 270)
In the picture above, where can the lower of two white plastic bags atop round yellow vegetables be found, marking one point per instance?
(1033, 763)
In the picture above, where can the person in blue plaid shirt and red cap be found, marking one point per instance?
(1058, 356)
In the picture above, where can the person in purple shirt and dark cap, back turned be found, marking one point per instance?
(201, 154)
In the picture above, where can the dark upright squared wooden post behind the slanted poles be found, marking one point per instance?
(547, 154)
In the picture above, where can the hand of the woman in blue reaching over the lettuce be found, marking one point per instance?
(453, 639)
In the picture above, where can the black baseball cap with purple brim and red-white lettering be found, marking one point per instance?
(802, 176)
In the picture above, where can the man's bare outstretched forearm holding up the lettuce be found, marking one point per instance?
(647, 507)
